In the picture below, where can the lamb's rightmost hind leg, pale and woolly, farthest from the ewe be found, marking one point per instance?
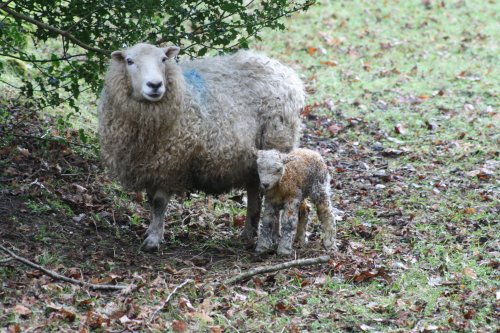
(327, 219)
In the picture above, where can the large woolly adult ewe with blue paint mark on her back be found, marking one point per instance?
(169, 127)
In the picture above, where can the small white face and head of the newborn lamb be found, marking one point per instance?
(270, 165)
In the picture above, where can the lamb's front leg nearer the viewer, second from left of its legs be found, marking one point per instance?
(289, 220)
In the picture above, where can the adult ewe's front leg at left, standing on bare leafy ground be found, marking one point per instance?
(154, 233)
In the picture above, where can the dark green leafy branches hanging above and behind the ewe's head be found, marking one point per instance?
(67, 43)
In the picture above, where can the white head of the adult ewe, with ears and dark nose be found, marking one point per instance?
(145, 65)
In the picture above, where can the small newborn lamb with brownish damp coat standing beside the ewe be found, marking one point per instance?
(288, 180)
